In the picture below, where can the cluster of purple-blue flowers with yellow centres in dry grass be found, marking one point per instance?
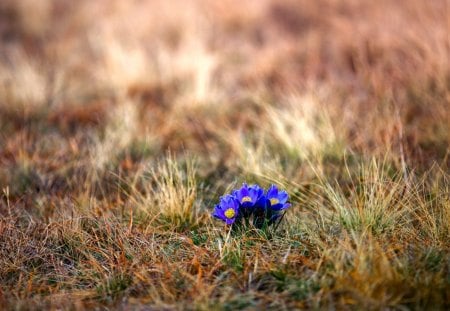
(252, 202)
